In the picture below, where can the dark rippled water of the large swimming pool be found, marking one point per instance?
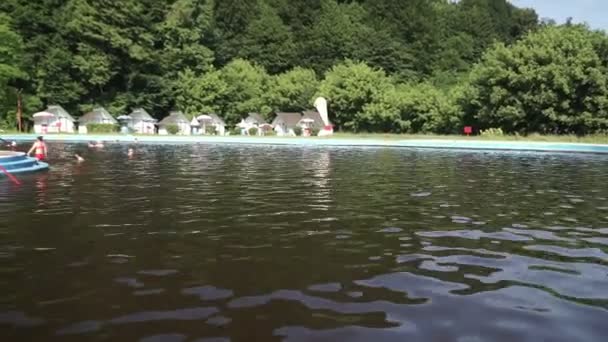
(235, 243)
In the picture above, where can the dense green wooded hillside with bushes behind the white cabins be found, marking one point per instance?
(384, 65)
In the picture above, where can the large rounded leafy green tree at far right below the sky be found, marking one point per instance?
(553, 81)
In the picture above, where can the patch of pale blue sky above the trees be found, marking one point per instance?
(593, 12)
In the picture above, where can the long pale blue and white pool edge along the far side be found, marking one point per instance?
(461, 143)
